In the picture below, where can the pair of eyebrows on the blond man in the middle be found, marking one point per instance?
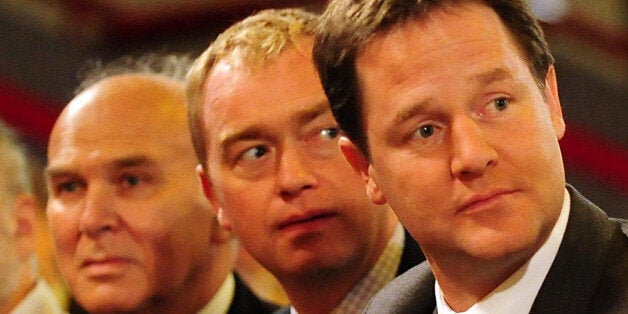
(256, 131)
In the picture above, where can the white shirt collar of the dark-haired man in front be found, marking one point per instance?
(517, 293)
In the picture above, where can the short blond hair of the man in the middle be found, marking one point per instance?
(256, 40)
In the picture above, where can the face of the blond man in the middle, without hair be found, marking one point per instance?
(276, 175)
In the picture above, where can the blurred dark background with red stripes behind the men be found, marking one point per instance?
(45, 43)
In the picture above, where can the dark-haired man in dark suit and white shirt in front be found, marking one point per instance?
(452, 116)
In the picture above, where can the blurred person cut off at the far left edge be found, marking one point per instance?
(21, 290)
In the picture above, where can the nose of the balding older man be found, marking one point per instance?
(99, 214)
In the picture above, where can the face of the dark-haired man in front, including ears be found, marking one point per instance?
(464, 147)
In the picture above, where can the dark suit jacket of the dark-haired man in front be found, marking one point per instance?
(589, 273)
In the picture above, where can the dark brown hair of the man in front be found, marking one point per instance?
(347, 25)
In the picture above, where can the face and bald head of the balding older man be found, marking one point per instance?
(129, 221)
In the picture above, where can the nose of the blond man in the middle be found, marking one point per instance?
(294, 173)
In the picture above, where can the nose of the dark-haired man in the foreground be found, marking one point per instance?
(472, 152)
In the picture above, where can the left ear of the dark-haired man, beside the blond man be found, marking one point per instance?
(363, 168)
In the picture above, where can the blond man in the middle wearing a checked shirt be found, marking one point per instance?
(270, 165)
